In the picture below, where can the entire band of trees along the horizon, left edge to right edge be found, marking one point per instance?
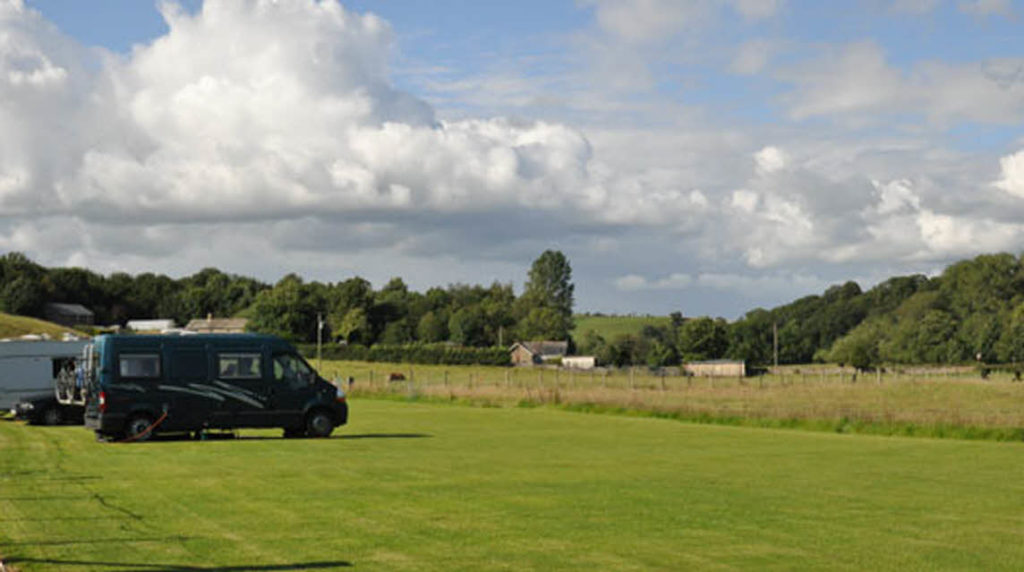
(973, 312)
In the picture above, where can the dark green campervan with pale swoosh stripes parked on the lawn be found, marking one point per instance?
(136, 386)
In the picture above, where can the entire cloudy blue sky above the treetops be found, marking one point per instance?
(707, 157)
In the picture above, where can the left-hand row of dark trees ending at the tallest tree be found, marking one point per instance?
(353, 312)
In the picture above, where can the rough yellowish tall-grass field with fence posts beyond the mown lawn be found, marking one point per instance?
(957, 404)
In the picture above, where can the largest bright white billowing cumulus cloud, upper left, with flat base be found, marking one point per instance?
(250, 108)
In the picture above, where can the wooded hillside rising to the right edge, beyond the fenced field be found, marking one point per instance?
(972, 313)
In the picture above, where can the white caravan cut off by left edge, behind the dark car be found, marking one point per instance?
(30, 367)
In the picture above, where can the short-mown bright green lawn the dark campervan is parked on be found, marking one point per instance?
(414, 487)
